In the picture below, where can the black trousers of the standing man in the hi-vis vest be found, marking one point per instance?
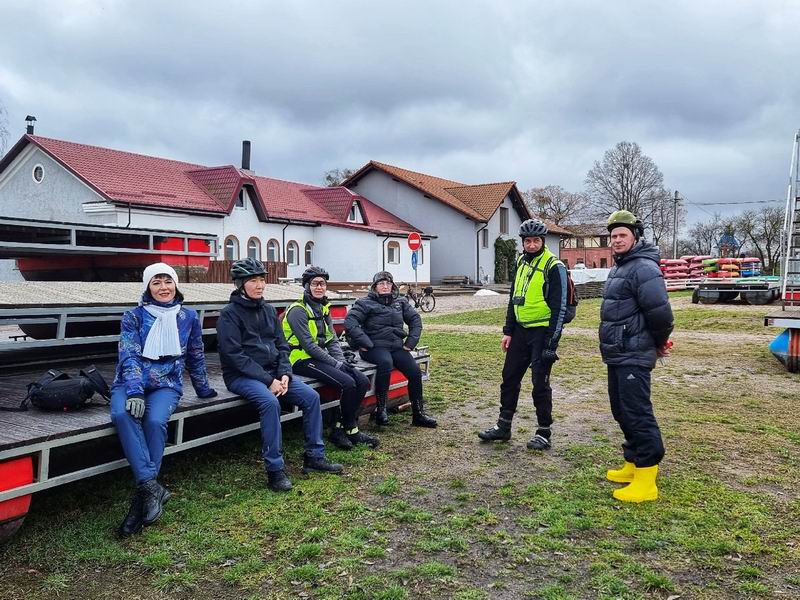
(525, 351)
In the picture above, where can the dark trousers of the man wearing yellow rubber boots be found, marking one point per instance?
(629, 392)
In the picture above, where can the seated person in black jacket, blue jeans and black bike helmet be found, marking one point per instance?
(255, 363)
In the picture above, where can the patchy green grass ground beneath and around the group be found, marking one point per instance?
(436, 514)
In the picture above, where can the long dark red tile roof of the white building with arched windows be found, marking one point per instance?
(162, 183)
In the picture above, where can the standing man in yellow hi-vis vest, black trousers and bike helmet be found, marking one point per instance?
(534, 321)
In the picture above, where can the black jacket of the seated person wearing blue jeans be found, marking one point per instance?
(251, 341)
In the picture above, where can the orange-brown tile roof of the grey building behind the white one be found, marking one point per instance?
(478, 202)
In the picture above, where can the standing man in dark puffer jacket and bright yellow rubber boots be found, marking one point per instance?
(635, 325)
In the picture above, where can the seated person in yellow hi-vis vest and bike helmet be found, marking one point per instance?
(316, 352)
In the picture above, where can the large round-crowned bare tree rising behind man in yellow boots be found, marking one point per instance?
(626, 179)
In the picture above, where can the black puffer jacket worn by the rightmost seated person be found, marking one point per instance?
(376, 322)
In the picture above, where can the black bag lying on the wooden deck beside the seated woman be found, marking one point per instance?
(56, 390)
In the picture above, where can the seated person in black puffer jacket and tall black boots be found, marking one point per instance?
(375, 326)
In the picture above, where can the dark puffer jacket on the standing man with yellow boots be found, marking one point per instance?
(635, 317)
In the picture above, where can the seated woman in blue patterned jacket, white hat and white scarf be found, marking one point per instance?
(156, 339)
